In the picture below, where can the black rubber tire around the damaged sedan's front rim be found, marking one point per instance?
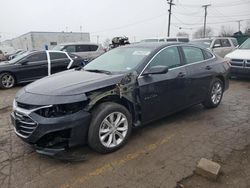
(99, 114)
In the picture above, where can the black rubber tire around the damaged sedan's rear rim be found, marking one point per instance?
(209, 103)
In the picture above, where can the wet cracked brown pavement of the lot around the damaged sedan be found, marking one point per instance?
(157, 155)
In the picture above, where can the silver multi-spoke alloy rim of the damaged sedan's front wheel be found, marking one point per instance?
(113, 129)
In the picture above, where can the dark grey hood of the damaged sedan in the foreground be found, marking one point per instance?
(72, 82)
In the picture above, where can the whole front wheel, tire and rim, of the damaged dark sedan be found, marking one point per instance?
(110, 127)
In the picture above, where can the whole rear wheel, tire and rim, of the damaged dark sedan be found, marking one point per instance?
(215, 94)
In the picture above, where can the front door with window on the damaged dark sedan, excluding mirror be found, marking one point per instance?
(162, 94)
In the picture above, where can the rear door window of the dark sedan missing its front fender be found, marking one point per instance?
(192, 54)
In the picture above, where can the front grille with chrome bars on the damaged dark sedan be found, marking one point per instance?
(24, 124)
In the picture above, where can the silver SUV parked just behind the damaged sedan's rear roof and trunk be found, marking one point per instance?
(221, 46)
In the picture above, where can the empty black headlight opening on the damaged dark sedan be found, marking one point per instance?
(60, 110)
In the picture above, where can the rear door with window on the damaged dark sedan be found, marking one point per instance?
(199, 73)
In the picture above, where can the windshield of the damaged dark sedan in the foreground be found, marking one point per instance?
(119, 60)
